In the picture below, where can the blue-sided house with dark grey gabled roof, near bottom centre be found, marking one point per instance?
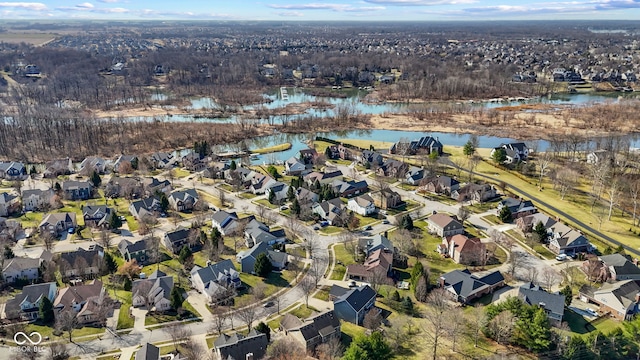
(354, 304)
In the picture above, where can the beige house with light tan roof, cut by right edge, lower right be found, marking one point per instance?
(620, 299)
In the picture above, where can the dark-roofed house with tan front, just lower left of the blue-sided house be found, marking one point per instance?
(313, 331)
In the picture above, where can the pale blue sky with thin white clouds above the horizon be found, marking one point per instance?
(314, 10)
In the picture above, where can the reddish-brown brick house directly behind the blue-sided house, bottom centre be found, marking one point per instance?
(377, 268)
